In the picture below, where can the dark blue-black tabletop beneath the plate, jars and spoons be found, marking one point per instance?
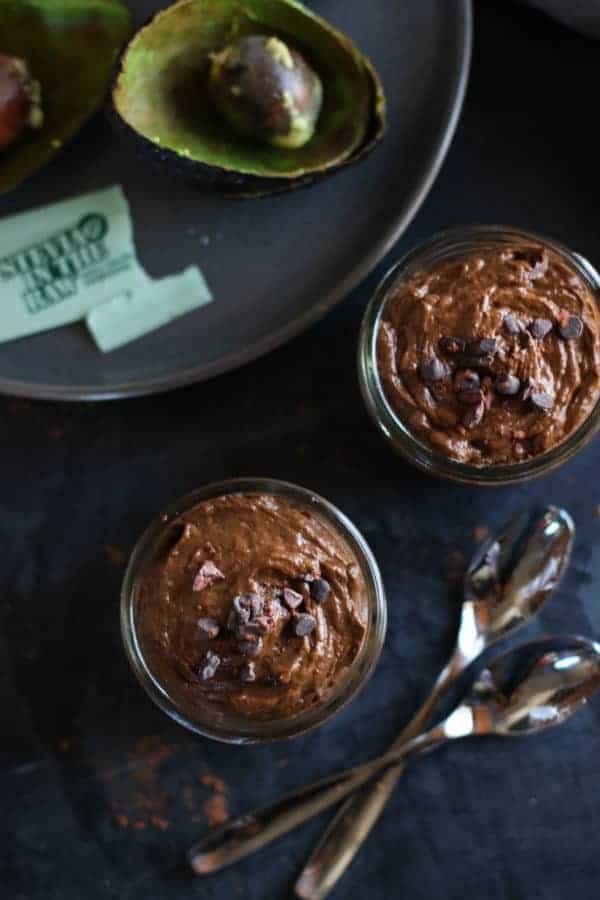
(100, 793)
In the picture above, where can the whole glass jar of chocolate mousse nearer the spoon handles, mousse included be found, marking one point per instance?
(252, 610)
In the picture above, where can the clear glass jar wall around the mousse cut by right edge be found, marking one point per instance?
(457, 243)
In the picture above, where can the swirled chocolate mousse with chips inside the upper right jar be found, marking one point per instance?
(493, 357)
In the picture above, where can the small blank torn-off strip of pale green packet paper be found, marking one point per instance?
(137, 311)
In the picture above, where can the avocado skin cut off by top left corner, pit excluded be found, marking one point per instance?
(70, 47)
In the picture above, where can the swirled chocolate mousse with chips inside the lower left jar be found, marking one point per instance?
(256, 608)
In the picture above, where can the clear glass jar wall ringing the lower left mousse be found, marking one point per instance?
(229, 728)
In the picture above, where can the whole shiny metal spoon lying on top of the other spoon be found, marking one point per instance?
(528, 689)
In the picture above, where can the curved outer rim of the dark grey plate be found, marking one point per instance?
(236, 359)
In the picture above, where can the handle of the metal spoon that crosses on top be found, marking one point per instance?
(248, 833)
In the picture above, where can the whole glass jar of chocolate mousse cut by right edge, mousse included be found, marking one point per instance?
(479, 355)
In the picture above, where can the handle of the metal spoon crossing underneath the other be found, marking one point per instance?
(351, 825)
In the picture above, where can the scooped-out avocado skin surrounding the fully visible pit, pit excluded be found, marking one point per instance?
(162, 101)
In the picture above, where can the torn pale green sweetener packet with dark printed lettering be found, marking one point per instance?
(58, 262)
